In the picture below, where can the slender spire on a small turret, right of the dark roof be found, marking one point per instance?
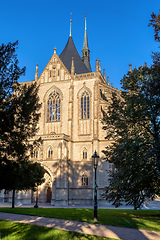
(85, 50)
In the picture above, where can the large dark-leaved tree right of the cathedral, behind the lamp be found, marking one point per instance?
(133, 120)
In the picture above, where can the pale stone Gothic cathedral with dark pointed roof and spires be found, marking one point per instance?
(74, 99)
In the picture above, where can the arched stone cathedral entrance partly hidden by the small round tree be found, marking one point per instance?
(44, 191)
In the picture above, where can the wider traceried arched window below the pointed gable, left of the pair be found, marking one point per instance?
(53, 107)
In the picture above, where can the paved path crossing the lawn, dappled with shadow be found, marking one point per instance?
(83, 227)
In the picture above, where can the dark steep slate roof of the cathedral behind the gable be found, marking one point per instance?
(66, 57)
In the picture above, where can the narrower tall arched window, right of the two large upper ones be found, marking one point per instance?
(85, 105)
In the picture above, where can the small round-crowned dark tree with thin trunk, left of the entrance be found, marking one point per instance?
(22, 175)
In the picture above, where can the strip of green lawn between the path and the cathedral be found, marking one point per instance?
(140, 219)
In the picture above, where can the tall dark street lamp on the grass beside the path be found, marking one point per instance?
(95, 158)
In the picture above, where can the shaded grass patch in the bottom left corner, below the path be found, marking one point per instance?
(21, 231)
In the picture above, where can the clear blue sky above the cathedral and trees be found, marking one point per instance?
(118, 32)
